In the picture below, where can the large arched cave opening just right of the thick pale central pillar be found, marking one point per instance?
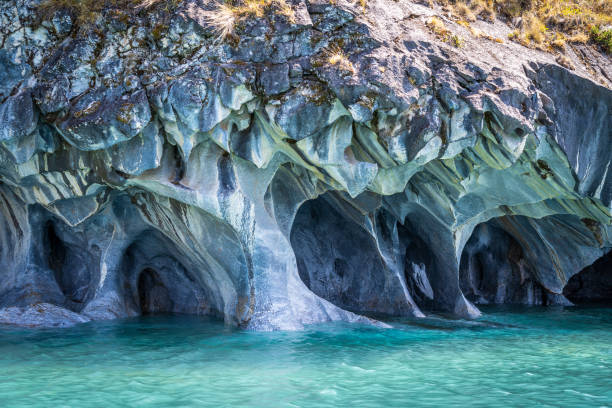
(340, 260)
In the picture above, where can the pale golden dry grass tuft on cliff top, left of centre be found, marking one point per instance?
(225, 17)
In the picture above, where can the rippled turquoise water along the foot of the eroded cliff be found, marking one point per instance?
(508, 358)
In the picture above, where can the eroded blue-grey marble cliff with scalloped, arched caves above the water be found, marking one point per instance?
(146, 166)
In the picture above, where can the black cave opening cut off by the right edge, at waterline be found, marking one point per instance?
(592, 285)
